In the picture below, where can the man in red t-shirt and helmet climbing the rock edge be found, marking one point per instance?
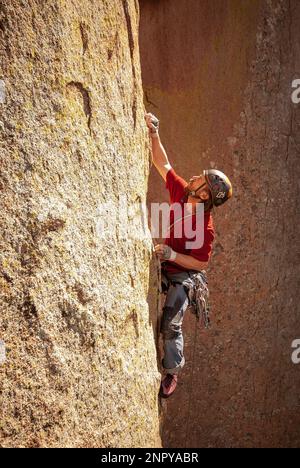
(183, 272)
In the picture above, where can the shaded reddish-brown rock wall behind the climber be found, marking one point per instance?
(219, 76)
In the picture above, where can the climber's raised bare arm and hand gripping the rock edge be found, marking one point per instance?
(159, 155)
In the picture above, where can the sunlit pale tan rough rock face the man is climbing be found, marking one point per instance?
(80, 368)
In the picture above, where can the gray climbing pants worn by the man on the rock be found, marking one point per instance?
(175, 305)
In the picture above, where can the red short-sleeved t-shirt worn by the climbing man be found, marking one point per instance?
(176, 184)
